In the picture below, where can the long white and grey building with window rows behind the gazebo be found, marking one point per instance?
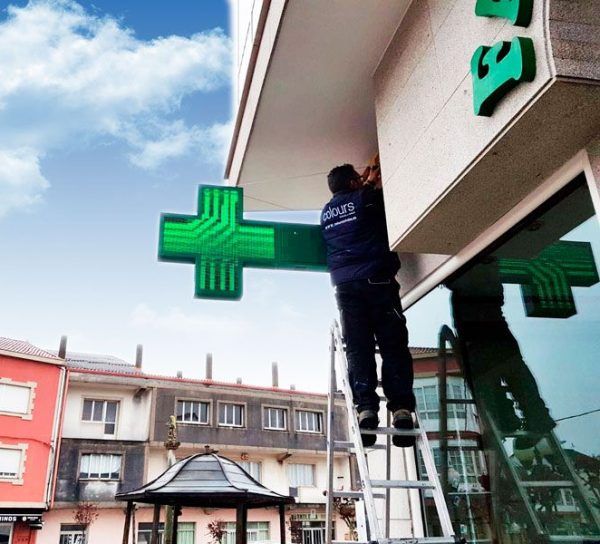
(115, 428)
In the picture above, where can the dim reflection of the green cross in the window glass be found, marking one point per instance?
(546, 281)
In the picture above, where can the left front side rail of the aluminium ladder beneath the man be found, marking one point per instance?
(361, 459)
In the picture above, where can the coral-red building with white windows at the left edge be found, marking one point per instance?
(32, 388)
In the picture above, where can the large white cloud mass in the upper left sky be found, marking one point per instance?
(70, 77)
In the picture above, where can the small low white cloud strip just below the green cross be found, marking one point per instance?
(175, 320)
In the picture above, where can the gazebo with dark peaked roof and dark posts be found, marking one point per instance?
(205, 480)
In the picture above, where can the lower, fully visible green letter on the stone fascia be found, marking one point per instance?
(498, 69)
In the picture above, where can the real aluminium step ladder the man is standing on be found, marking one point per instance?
(366, 496)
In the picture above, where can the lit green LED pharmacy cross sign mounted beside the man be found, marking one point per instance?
(221, 243)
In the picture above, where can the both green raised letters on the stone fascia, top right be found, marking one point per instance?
(496, 70)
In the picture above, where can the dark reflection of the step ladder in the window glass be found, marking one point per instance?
(497, 437)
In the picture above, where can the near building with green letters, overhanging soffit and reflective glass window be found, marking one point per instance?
(486, 116)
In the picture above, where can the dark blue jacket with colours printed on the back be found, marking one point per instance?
(354, 228)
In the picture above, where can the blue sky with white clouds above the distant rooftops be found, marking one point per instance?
(112, 114)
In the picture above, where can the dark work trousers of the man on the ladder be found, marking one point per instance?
(369, 310)
